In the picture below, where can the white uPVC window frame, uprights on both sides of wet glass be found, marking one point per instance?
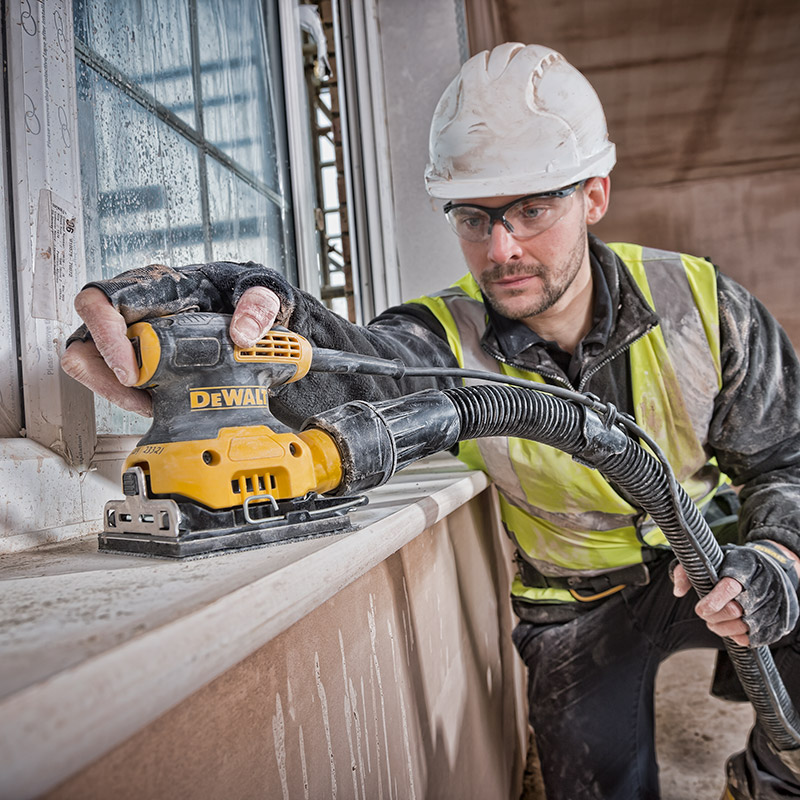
(57, 473)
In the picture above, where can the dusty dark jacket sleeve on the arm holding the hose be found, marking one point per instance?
(755, 430)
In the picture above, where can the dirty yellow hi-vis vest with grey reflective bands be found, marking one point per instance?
(564, 517)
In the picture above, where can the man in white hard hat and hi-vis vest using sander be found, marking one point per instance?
(519, 149)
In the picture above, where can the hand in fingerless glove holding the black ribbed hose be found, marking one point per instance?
(755, 601)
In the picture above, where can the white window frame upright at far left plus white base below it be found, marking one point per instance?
(49, 496)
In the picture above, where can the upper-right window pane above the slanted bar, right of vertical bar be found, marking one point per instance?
(237, 111)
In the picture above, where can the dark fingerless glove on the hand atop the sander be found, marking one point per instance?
(157, 290)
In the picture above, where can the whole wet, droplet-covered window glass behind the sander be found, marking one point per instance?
(181, 155)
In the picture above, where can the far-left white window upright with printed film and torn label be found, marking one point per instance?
(44, 172)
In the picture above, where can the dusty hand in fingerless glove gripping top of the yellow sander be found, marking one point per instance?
(99, 354)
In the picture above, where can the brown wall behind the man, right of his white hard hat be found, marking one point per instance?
(701, 101)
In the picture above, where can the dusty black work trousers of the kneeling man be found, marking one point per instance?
(591, 686)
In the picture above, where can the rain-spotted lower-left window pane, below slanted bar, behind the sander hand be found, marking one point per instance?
(141, 197)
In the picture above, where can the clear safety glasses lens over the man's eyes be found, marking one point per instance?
(523, 219)
